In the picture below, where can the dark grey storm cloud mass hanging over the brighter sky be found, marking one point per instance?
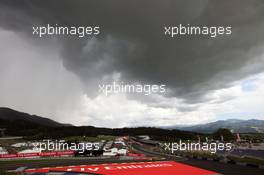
(132, 40)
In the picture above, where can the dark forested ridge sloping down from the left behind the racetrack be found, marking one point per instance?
(32, 127)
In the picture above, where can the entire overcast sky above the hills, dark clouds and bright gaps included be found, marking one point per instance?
(208, 78)
